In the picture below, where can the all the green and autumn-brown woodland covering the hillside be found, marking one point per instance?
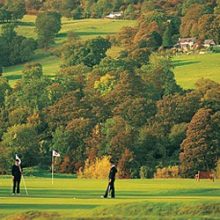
(129, 108)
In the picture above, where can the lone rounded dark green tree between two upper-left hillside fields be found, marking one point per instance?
(48, 24)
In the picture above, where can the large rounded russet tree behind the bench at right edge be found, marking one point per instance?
(200, 149)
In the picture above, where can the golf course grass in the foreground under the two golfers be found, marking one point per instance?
(70, 198)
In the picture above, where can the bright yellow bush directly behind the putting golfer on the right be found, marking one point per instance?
(97, 169)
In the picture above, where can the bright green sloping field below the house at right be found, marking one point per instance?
(189, 68)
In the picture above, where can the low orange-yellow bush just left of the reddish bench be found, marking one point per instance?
(167, 172)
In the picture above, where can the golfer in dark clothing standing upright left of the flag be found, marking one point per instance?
(16, 176)
